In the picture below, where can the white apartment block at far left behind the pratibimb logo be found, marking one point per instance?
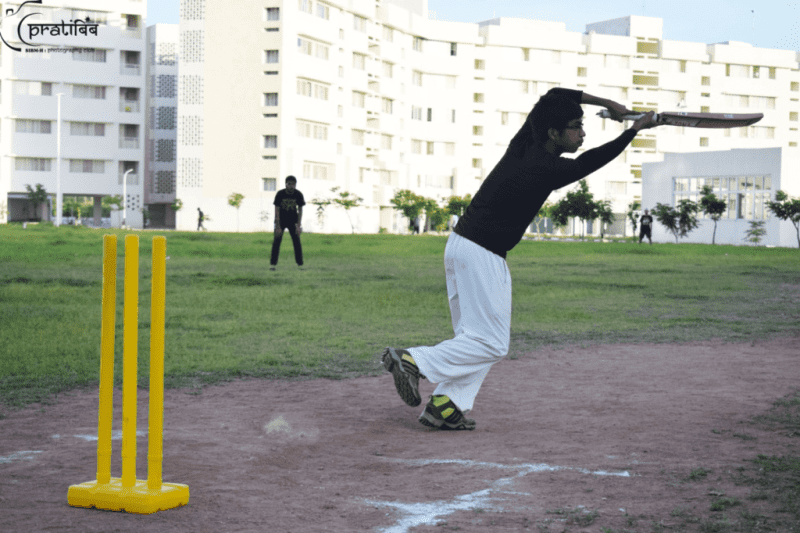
(82, 60)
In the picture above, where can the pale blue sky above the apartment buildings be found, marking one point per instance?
(764, 23)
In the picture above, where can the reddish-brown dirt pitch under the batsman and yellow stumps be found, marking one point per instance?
(612, 428)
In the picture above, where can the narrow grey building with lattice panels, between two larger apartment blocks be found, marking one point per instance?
(162, 120)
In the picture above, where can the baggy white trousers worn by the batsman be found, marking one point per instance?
(479, 290)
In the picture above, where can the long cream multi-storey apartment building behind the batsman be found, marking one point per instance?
(371, 96)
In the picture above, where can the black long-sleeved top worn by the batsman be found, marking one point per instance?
(514, 191)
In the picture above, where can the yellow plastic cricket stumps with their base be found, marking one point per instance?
(127, 493)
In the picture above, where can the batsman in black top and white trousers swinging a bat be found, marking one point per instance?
(477, 277)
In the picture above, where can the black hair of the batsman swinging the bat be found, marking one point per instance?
(551, 111)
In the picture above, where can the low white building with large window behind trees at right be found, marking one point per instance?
(745, 178)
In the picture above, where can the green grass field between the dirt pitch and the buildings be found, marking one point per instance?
(228, 316)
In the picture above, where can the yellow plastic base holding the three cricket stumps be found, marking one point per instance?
(137, 499)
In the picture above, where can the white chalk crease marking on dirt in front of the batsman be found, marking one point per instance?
(432, 513)
